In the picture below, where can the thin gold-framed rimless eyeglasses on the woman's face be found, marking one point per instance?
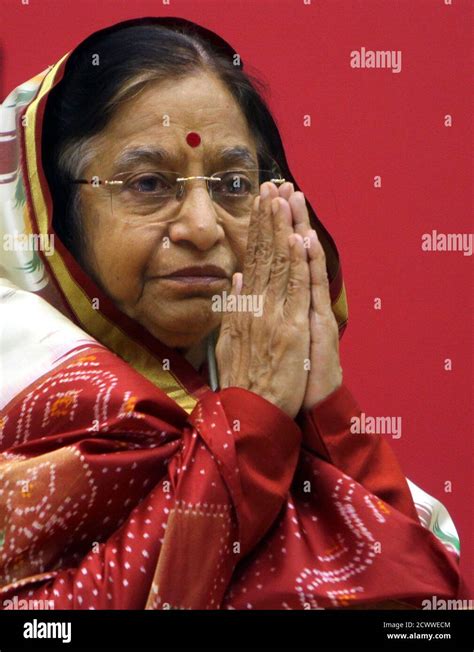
(151, 194)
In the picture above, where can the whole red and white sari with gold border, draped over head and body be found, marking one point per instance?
(127, 483)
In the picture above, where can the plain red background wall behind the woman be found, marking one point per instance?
(364, 123)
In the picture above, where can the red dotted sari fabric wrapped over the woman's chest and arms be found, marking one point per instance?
(160, 509)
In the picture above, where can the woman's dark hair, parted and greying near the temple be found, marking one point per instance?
(81, 104)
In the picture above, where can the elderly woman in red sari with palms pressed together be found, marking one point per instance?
(175, 432)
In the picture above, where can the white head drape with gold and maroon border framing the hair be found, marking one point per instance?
(53, 273)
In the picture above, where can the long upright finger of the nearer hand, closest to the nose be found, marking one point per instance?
(258, 263)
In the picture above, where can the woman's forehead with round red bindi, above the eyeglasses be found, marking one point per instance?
(159, 120)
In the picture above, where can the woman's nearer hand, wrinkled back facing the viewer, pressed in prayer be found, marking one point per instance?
(269, 354)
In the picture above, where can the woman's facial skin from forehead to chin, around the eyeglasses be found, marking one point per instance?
(132, 256)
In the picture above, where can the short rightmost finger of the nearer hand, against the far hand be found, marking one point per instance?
(298, 296)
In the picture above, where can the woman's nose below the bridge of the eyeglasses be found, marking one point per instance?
(197, 220)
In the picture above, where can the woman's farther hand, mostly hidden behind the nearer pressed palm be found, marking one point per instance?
(325, 374)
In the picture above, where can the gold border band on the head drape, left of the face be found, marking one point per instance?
(97, 324)
